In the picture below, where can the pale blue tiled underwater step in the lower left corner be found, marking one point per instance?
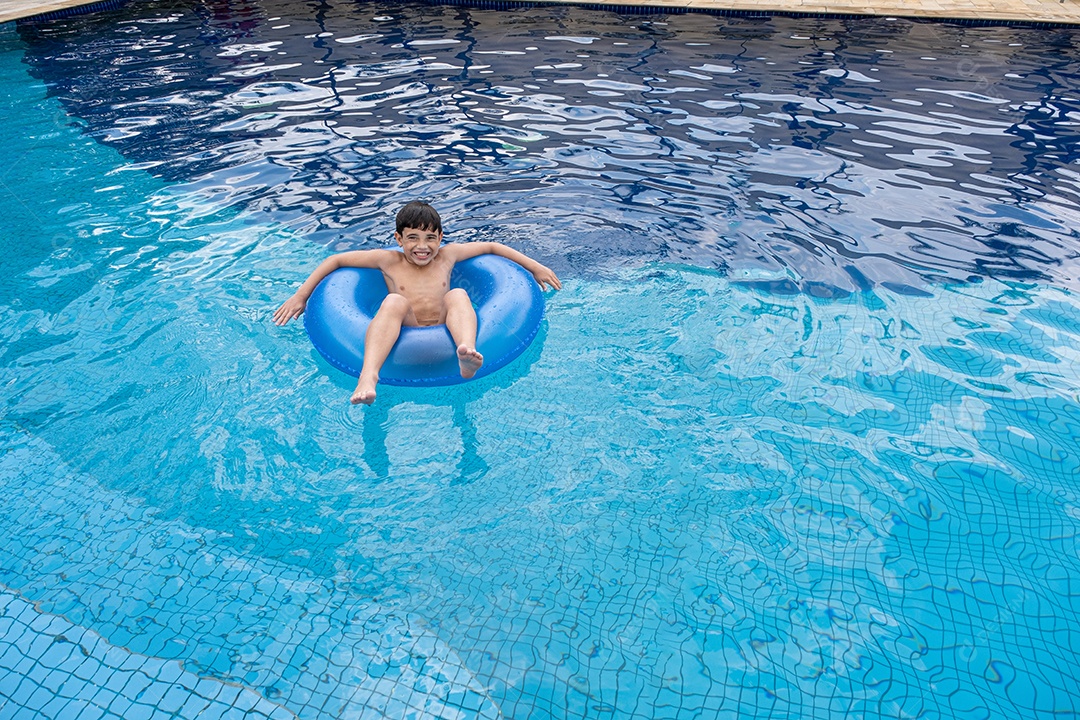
(167, 600)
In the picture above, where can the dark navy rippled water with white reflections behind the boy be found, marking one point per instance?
(822, 154)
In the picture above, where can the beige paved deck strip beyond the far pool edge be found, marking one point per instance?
(1025, 11)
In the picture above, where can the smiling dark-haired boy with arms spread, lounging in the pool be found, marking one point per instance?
(420, 284)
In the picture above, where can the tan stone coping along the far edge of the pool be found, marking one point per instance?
(1043, 13)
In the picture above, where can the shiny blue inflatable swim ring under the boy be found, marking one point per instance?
(509, 310)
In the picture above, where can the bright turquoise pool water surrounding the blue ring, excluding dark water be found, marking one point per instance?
(695, 497)
